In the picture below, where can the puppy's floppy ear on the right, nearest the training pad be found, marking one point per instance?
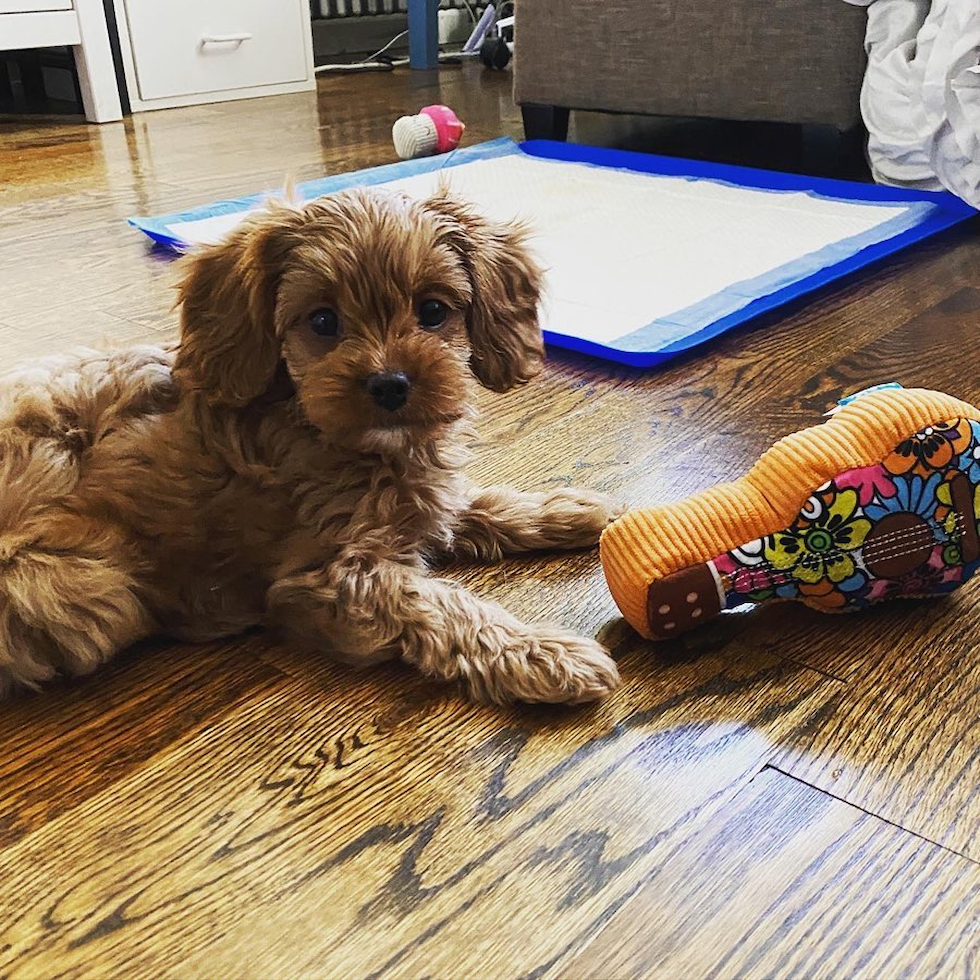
(505, 337)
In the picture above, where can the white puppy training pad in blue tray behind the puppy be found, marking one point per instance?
(648, 256)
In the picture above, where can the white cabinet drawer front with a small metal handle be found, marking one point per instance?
(184, 47)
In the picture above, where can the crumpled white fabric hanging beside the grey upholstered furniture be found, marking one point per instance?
(920, 99)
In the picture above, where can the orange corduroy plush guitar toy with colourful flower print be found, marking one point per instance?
(880, 501)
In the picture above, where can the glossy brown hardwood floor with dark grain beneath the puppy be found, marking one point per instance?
(781, 794)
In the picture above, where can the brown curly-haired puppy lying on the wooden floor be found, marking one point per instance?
(295, 462)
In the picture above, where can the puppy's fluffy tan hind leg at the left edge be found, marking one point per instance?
(63, 611)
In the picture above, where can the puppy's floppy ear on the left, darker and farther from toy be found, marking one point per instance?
(228, 346)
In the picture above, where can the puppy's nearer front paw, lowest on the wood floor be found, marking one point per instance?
(547, 664)
